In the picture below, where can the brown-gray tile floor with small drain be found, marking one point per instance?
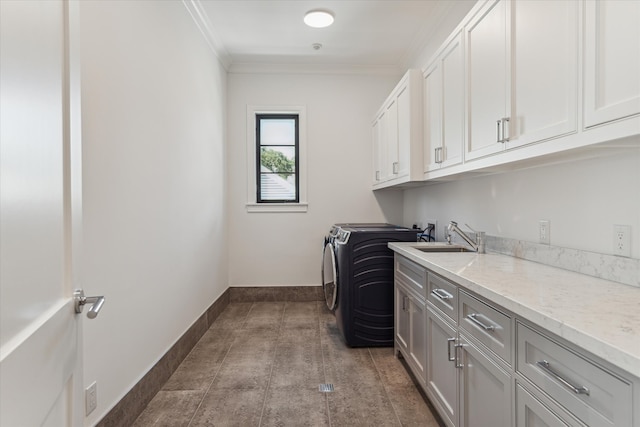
(260, 364)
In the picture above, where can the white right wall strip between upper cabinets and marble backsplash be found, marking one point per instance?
(582, 199)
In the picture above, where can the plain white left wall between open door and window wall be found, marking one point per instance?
(155, 224)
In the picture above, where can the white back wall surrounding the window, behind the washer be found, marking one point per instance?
(271, 249)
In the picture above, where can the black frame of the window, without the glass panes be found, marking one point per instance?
(259, 173)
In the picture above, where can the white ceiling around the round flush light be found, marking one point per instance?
(376, 34)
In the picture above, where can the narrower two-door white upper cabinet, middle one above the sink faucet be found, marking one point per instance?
(443, 107)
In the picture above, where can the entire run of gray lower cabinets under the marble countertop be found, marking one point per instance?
(482, 366)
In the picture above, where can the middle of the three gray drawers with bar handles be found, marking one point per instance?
(483, 322)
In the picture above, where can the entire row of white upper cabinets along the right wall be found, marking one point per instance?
(517, 80)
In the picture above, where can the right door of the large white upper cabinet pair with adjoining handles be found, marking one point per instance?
(545, 70)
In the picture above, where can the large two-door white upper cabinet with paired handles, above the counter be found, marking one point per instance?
(523, 80)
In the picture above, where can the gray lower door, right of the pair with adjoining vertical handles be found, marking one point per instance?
(485, 390)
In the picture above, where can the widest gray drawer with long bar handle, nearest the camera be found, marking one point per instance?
(587, 390)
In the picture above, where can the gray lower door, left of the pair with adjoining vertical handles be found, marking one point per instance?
(442, 375)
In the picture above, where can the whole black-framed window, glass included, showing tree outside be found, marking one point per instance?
(277, 160)
